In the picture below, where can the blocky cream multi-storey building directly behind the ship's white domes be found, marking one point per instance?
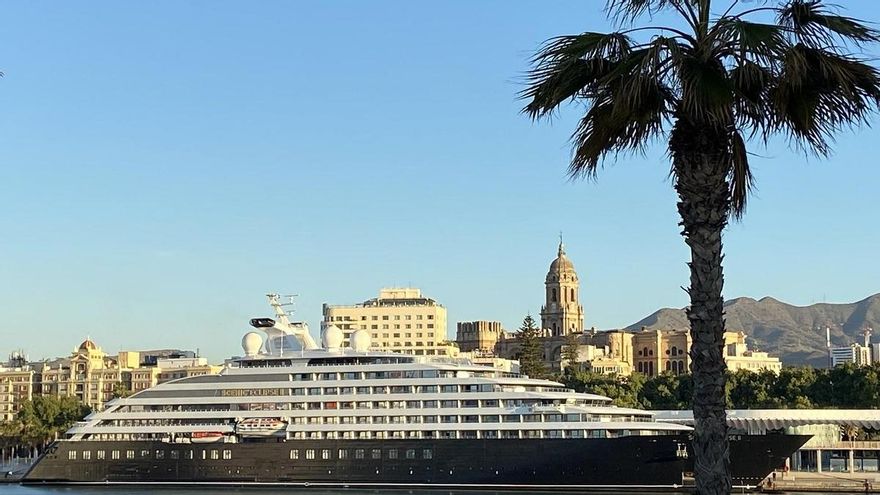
(399, 320)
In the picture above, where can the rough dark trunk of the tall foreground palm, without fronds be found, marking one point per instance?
(701, 164)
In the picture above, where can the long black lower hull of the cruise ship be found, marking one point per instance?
(635, 463)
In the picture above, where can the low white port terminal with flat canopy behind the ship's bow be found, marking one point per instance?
(844, 440)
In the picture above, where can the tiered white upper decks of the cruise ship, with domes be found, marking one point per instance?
(298, 391)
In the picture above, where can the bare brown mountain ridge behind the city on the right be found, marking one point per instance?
(794, 333)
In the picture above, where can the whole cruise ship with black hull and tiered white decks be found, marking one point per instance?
(292, 412)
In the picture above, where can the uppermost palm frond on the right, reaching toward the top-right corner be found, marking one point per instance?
(815, 25)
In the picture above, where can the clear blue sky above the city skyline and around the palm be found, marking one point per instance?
(165, 164)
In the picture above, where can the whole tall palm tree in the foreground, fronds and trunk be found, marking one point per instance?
(707, 85)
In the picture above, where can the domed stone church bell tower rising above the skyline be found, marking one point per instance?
(562, 312)
